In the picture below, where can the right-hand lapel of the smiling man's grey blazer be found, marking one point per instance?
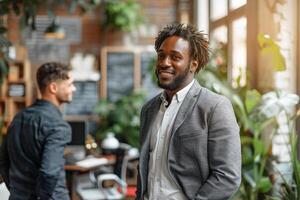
(187, 105)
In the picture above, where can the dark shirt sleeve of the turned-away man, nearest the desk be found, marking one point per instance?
(52, 162)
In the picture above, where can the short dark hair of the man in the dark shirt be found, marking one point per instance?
(50, 72)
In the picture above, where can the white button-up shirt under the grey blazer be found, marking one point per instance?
(161, 185)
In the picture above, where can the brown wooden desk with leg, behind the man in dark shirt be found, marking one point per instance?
(73, 170)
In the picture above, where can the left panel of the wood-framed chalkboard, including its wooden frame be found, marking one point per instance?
(120, 72)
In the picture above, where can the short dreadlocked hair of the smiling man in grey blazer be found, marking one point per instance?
(199, 45)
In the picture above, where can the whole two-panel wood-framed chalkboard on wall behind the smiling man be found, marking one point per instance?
(124, 69)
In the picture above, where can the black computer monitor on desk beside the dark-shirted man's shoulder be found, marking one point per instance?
(79, 132)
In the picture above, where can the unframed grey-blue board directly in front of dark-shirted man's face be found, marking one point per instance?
(84, 100)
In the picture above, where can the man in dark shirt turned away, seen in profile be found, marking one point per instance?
(31, 156)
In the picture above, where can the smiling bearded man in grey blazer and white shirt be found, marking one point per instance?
(190, 145)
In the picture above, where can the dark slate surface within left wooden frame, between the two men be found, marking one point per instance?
(120, 72)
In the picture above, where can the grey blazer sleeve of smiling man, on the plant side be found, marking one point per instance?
(224, 154)
